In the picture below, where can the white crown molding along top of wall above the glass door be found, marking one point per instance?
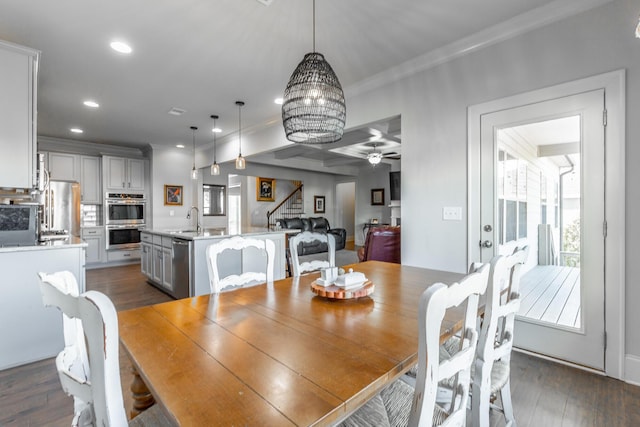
(529, 21)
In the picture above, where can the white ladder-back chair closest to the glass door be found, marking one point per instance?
(491, 376)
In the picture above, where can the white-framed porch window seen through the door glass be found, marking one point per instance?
(512, 197)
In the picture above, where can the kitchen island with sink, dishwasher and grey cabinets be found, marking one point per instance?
(175, 260)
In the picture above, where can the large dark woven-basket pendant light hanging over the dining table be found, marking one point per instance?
(313, 108)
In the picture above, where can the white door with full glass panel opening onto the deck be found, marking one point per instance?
(542, 185)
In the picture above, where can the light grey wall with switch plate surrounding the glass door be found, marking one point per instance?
(434, 104)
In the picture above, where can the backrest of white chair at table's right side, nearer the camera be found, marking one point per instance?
(434, 302)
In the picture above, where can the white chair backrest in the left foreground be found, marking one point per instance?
(90, 329)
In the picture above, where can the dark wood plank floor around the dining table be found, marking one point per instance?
(544, 393)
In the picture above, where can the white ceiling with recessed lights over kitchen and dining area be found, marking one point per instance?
(201, 56)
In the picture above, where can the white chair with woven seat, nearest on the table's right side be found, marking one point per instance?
(401, 404)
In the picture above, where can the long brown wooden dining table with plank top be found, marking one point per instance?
(278, 354)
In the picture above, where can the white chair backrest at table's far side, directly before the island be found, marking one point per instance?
(238, 243)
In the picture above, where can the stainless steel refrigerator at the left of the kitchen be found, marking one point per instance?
(62, 207)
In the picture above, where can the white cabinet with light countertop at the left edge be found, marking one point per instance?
(29, 331)
